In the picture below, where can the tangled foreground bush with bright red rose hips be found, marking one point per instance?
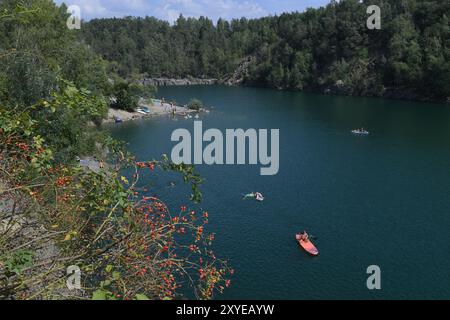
(56, 214)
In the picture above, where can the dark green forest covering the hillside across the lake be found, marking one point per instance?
(329, 49)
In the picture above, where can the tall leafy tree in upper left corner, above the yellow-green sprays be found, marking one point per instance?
(37, 48)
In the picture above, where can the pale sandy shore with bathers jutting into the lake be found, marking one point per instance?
(156, 109)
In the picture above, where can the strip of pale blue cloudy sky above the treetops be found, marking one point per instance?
(170, 9)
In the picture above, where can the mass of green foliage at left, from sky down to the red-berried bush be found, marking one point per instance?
(41, 59)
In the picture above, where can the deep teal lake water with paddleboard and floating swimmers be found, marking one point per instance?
(382, 199)
